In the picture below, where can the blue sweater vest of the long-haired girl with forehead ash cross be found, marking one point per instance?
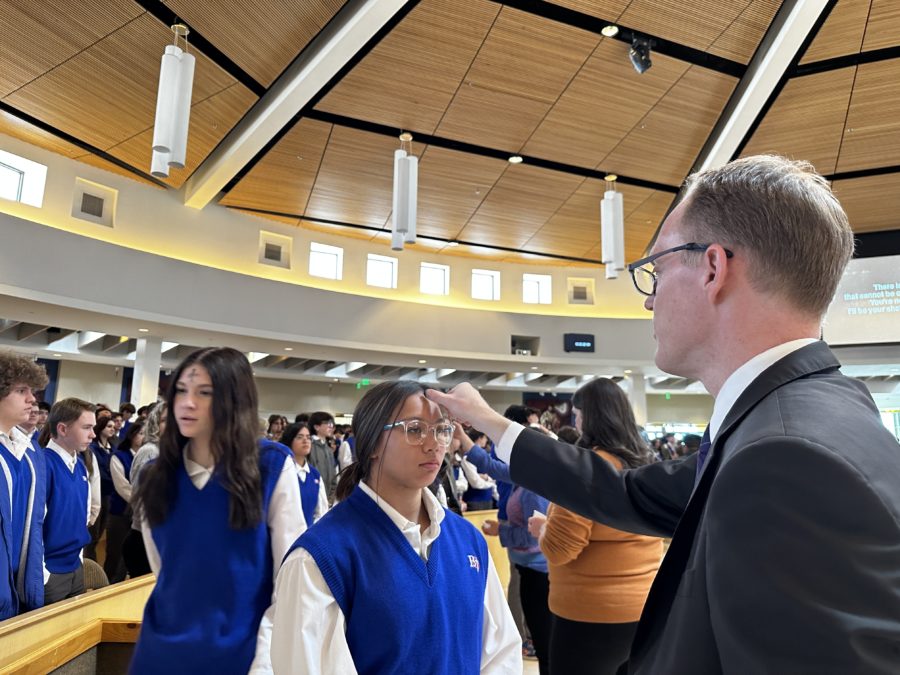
(215, 582)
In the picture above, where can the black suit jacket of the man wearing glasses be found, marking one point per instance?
(786, 556)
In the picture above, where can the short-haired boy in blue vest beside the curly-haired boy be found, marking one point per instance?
(66, 533)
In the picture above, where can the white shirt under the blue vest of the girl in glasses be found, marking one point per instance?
(309, 634)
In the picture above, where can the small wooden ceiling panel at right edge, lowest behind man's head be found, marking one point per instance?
(872, 203)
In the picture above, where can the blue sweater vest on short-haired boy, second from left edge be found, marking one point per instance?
(65, 525)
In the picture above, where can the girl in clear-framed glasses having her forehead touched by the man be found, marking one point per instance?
(387, 581)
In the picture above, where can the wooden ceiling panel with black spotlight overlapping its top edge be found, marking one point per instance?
(601, 106)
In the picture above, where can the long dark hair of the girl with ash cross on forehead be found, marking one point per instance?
(233, 443)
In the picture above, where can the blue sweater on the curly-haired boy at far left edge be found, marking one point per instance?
(22, 590)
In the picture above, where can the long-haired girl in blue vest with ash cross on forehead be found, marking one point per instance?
(219, 510)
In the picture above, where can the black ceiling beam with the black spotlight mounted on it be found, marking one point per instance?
(593, 24)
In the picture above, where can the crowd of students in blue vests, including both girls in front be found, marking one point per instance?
(220, 505)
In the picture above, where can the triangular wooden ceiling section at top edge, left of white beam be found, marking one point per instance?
(261, 36)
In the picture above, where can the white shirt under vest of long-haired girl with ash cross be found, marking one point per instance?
(285, 521)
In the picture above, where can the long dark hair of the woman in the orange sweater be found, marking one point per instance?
(607, 422)
